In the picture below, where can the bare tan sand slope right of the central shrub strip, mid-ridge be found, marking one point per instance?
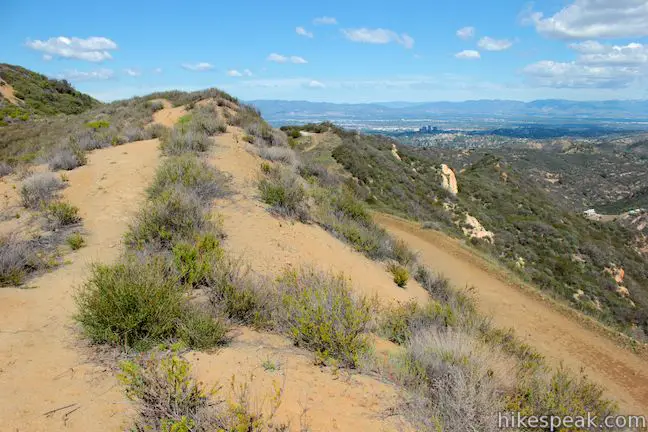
(270, 244)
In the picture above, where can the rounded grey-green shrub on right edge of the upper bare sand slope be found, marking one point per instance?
(282, 189)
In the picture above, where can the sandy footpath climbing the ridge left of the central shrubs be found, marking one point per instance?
(42, 366)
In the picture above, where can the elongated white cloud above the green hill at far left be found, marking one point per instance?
(93, 49)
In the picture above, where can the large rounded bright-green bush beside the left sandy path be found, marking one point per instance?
(135, 303)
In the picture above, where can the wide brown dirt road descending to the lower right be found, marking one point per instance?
(623, 374)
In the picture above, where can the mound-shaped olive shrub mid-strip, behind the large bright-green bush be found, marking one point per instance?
(176, 215)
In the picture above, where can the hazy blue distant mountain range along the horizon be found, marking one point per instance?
(631, 110)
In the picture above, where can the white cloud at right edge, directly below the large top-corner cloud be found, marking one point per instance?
(596, 53)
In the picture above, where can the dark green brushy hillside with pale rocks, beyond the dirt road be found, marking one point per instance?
(546, 244)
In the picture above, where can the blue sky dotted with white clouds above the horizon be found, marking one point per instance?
(338, 51)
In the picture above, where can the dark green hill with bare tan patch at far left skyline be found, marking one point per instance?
(24, 94)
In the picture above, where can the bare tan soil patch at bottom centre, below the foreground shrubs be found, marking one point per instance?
(315, 397)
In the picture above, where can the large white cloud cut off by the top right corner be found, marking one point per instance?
(590, 19)
